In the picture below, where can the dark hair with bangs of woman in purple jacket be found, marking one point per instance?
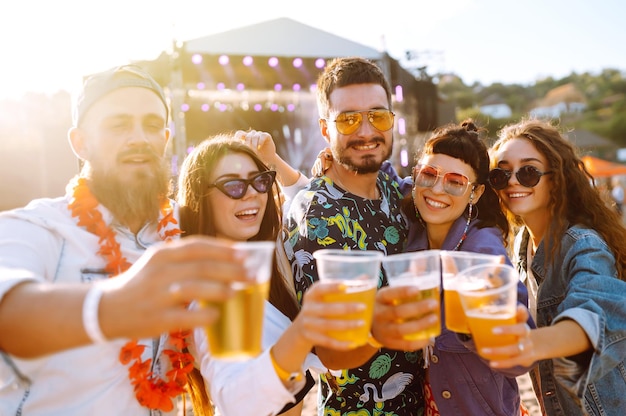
(463, 142)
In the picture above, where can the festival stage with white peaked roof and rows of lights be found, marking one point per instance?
(263, 77)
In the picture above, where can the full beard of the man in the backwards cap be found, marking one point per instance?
(132, 200)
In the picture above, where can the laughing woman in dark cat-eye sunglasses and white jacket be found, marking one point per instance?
(226, 191)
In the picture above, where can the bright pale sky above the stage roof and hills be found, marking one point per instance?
(49, 46)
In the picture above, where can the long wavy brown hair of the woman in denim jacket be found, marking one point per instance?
(574, 199)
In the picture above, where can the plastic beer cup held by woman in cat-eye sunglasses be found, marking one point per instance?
(358, 272)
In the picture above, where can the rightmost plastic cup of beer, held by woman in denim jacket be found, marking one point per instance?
(489, 298)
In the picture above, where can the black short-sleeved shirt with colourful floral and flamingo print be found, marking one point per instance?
(325, 216)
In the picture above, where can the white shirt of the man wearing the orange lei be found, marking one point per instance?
(42, 242)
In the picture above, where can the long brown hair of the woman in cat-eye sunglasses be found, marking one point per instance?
(192, 190)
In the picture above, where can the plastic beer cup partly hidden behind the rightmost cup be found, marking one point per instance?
(453, 262)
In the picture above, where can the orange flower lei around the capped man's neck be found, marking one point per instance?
(151, 390)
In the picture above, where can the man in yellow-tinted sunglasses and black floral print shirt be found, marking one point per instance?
(355, 206)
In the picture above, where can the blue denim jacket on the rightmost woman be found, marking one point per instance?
(582, 285)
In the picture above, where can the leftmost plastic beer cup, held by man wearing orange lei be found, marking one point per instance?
(236, 334)
